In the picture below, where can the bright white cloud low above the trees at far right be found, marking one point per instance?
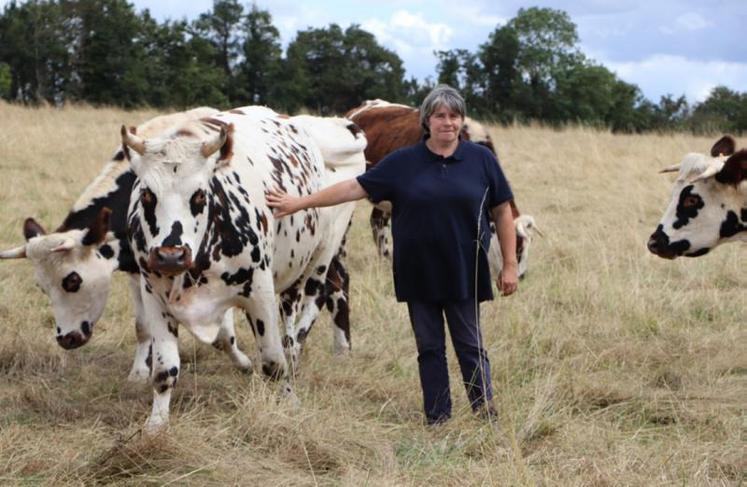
(661, 74)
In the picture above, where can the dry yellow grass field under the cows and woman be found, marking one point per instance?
(612, 366)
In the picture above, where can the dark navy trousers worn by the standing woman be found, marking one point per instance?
(427, 321)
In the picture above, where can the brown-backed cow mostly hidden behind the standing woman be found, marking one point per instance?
(389, 126)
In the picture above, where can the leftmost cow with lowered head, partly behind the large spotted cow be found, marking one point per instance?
(74, 264)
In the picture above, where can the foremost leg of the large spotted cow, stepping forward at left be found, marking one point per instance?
(164, 359)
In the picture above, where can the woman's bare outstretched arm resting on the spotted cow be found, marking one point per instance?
(284, 204)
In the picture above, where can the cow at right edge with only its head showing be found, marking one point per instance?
(708, 205)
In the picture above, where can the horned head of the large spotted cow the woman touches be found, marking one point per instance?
(175, 173)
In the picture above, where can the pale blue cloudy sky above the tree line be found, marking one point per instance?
(664, 46)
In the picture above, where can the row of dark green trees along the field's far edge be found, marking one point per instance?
(103, 52)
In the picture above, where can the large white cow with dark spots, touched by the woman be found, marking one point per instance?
(205, 239)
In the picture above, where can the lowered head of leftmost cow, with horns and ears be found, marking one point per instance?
(74, 269)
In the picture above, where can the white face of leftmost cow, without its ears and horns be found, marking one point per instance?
(77, 281)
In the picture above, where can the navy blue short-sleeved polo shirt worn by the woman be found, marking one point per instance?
(437, 203)
